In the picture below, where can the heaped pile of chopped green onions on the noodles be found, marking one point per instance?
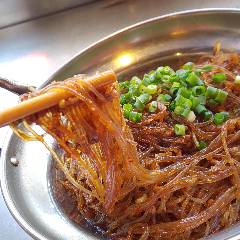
(182, 91)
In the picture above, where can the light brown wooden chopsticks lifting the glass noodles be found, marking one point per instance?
(49, 99)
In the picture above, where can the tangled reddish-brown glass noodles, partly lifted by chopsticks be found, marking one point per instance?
(140, 180)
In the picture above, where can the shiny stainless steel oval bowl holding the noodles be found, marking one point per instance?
(167, 39)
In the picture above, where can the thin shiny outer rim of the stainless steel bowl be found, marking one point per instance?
(3, 181)
